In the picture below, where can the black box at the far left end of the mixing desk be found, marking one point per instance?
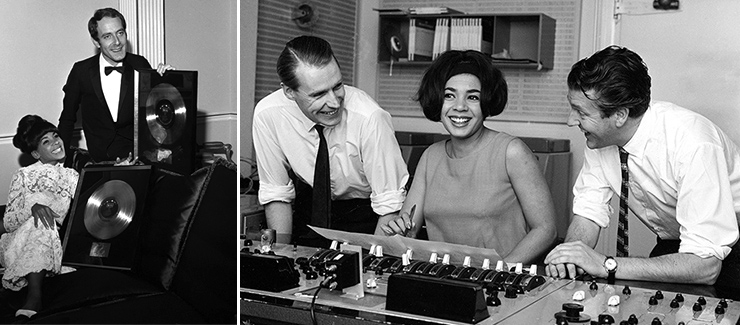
(267, 272)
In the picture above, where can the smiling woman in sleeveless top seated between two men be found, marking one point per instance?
(480, 188)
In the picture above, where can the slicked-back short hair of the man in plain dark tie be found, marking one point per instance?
(309, 50)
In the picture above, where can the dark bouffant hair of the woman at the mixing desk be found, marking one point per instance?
(494, 92)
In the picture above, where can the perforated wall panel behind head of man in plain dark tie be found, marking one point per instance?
(336, 24)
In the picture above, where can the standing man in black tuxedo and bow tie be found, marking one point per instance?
(102, 87)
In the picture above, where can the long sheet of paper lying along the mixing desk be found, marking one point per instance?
(422, 249)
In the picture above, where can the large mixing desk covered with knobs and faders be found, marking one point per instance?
(505, 294)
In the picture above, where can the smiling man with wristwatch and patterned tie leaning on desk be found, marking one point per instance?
(674, 169)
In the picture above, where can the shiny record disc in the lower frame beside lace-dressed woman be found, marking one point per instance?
(109, 209)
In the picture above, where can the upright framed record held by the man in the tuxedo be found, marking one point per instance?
(164, 124)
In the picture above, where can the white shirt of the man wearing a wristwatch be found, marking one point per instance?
(684, 181)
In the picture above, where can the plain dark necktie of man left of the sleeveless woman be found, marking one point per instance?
(321, 207)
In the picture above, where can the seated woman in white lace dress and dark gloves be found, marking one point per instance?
(40, 195)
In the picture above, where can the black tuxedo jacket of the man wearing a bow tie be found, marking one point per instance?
(106, 140)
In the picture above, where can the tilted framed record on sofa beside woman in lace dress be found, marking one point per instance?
(106, 217)
